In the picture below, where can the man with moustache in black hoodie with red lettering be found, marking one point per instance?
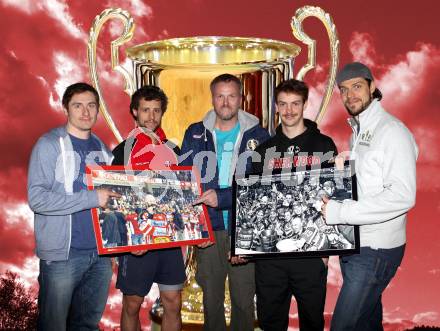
(297, 143)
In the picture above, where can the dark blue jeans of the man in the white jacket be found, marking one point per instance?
(365, 275)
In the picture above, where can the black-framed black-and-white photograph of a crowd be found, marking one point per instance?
(279, 215)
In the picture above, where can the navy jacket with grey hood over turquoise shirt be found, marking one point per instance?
(199, 149)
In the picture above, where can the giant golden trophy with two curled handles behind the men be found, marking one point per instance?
(184, 68)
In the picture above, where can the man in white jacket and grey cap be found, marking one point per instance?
(385, 156)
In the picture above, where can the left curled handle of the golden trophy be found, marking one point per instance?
(127, 34)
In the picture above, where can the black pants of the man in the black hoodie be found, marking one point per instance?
(276, 282)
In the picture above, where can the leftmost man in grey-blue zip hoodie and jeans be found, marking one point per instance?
(73, 279)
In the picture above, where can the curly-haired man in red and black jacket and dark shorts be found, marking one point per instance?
(147, 146)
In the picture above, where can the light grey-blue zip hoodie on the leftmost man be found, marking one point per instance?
(53, 167)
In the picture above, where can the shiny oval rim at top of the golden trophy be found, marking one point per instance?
(291, 50)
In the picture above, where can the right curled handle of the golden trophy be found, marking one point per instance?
(296, 24)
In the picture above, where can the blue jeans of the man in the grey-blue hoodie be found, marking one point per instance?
(73, 293)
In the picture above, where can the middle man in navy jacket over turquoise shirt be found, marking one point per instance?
(220, 146)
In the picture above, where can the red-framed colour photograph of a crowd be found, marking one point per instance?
(154, 211)
